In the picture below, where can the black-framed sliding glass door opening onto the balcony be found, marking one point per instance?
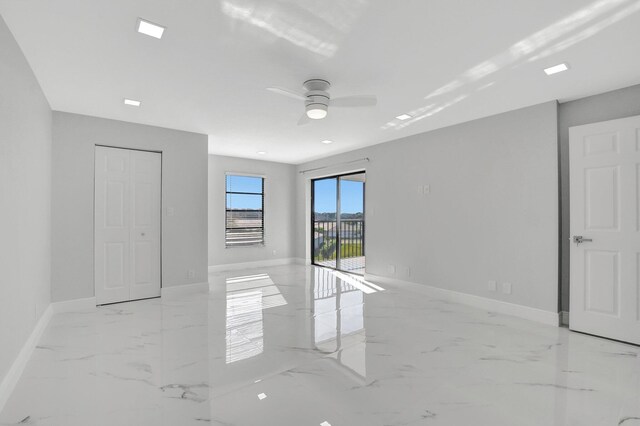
(338, 222)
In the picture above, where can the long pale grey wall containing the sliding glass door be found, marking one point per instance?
(492, 213)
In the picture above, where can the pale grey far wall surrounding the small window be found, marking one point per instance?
(279, 210)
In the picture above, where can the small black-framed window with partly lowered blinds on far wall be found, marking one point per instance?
(244, 211)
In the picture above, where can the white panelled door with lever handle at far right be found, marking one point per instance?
(605, 212)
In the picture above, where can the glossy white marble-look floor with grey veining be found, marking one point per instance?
(295, 346)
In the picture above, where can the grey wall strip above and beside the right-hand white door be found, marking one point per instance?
(606, 106)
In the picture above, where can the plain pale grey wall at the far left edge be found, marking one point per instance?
(25, 197)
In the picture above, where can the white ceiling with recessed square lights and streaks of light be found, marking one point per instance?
(443, 61)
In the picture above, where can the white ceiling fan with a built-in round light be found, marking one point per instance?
(317, 99)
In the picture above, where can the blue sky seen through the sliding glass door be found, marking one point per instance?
(351, 197)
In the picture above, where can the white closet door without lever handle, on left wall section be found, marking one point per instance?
(127, 224)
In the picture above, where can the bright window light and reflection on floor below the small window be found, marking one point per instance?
(247, 297)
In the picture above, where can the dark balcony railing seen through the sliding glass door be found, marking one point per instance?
(325, 239)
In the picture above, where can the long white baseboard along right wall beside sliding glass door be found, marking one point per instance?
(492, 305)
